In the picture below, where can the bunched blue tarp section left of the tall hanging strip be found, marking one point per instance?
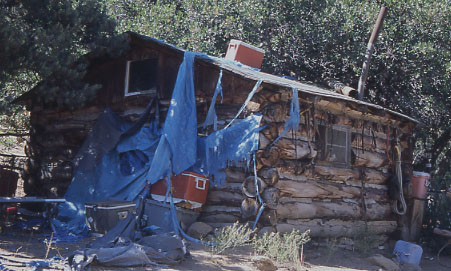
(105, 181)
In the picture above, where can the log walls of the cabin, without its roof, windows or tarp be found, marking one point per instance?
(302, 190)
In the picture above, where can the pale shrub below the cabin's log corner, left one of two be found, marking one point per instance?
(232, 236)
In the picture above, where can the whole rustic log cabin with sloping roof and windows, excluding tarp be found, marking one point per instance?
(332, 175)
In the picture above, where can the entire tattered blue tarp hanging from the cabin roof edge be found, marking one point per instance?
(119, 158)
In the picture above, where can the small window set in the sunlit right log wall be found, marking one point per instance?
(335, 144)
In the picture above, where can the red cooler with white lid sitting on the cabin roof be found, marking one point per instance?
(245, 53)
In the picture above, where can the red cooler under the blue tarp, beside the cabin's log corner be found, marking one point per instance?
(187, 186)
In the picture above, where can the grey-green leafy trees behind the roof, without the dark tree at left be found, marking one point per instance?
(316, 40)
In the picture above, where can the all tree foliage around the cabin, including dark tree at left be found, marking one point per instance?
(310, 40)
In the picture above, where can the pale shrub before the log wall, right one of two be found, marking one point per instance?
(282, 248)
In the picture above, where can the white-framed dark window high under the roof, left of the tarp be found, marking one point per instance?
(141, 77)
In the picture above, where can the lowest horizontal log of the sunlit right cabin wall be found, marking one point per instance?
(336, 228)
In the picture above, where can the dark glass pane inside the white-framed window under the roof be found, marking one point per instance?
(143, 75)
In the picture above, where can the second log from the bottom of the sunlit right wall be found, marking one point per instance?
(324, 209)
